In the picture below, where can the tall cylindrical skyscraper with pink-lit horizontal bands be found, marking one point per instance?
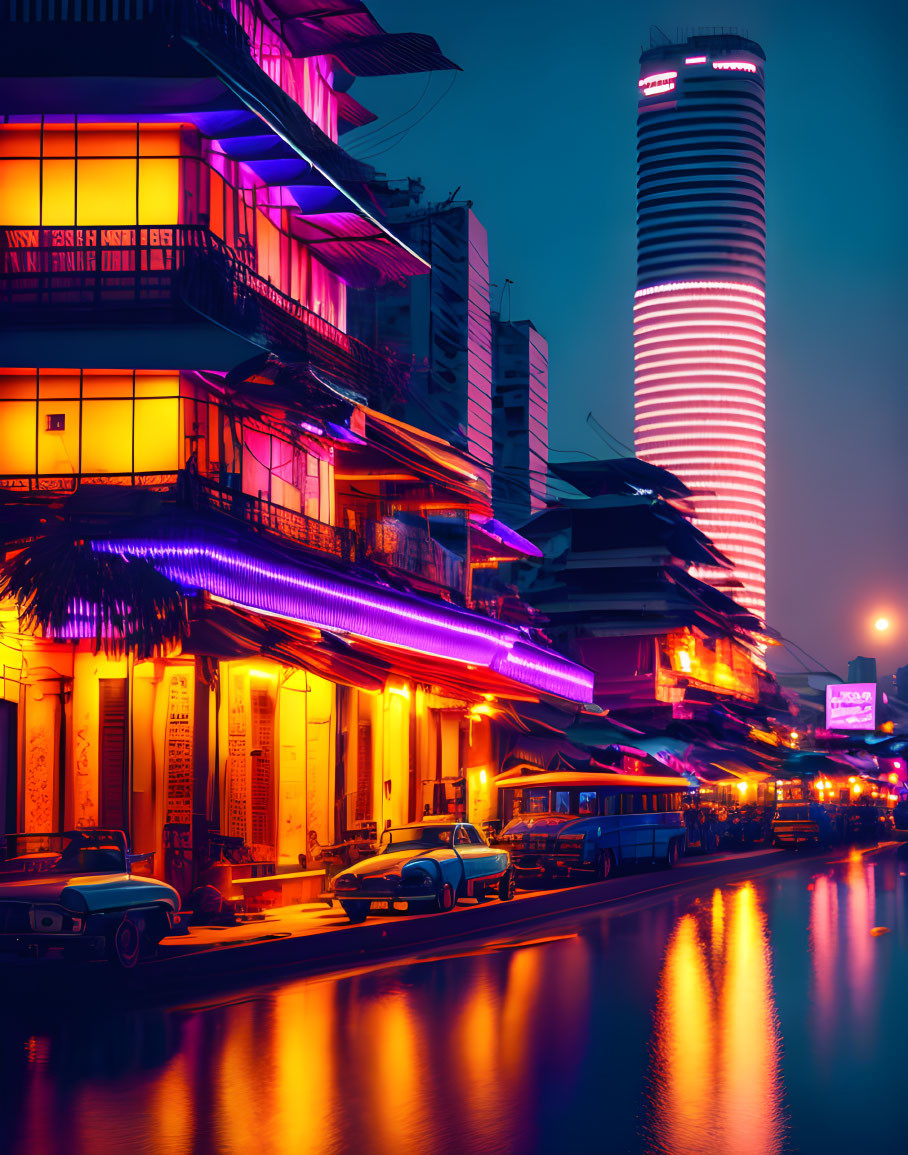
(699, 309)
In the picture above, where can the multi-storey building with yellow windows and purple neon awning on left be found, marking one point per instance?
(182, 398)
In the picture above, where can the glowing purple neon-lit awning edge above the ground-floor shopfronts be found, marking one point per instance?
(345, 605)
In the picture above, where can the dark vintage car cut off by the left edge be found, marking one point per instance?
(75, 893)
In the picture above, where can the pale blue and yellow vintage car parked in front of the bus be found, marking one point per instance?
(428, 867)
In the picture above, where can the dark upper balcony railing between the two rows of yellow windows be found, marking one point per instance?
(51, 270)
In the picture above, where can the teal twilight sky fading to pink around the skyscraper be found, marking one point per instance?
(540, 133)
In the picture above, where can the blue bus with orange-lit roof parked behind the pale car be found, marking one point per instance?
(580, 828)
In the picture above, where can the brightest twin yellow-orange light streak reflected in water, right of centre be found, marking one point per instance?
(717, 1053)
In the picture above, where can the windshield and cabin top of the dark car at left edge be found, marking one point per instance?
(73, 852)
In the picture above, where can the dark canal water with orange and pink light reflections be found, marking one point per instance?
(745, 1018)
